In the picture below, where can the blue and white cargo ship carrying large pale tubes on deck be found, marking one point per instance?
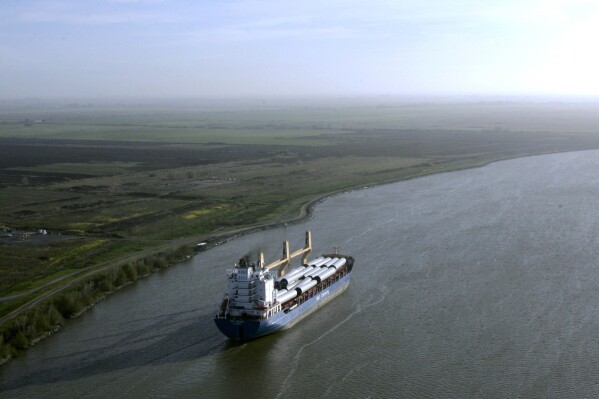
(263, 299)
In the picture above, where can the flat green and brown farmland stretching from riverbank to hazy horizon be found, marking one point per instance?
(116, 181)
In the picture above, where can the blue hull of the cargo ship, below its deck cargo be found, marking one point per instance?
(250, 329)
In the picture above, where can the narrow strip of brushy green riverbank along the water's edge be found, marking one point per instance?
(46, 316)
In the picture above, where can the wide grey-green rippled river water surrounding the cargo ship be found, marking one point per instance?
(478, 283)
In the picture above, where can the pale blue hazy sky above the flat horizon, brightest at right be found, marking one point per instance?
(221, 48)
